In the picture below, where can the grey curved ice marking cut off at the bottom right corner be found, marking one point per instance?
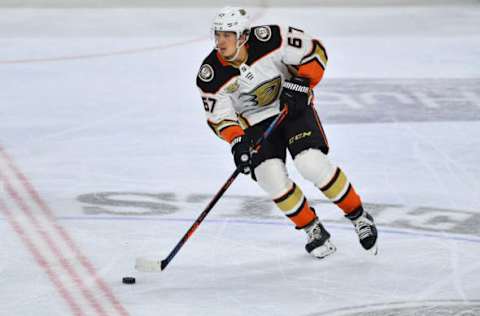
(415, 308)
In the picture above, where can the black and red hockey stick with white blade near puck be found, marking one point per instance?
(146, 265)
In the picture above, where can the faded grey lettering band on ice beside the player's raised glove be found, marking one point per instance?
(398, 100)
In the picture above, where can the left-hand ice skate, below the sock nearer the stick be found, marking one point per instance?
(319, 244)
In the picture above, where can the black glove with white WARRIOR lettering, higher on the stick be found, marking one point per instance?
(295, 95)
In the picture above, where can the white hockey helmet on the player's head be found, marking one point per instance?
(232, 19)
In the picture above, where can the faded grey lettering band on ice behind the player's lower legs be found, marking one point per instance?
(431, 221)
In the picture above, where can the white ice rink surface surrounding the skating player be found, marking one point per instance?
(99, 111)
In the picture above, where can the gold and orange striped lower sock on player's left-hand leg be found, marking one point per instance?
(296, 207)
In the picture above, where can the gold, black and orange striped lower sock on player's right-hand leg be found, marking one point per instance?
(341, 192)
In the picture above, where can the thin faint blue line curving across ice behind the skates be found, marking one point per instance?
(333, 225)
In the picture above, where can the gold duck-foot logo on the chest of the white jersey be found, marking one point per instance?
(264, 94)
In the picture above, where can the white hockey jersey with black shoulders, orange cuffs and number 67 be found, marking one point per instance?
(235, 98)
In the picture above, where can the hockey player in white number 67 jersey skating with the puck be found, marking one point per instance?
(250, 75)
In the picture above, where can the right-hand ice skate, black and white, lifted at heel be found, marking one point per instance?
(366, 230)
